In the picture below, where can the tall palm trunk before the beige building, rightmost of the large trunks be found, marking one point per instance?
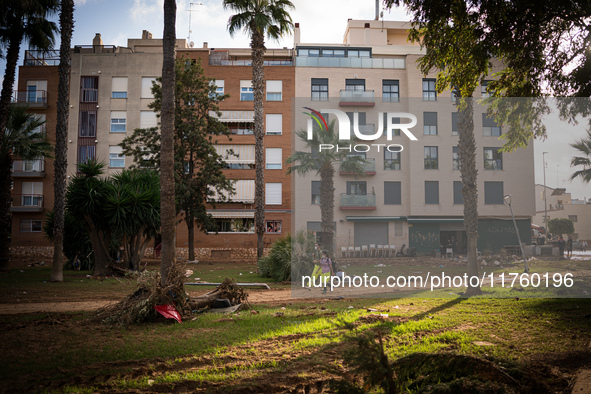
(467, 153)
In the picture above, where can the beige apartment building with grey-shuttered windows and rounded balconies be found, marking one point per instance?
(412, 195)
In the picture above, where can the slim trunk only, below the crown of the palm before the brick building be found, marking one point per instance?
(257, 45)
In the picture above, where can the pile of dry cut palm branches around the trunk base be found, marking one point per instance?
(138, 307)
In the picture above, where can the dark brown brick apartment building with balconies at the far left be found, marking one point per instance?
(32, 187)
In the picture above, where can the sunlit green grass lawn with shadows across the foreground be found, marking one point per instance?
(296, 343)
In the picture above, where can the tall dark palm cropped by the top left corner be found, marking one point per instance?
(20, 20)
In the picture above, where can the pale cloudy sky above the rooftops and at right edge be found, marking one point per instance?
(320, 22)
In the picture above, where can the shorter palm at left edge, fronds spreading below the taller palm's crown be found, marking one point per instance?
(22, 139)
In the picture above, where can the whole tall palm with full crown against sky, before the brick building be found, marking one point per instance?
(259, 18)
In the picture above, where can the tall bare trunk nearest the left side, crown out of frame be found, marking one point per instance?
(61, 135)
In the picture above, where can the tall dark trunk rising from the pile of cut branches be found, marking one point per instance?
(167, 202)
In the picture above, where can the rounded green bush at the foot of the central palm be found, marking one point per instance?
(290, 257)
